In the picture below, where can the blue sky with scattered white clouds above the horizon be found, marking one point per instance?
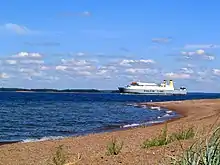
(107, 44)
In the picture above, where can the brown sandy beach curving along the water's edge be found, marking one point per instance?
(202, 114)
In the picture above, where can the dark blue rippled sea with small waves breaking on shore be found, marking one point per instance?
(28, 117)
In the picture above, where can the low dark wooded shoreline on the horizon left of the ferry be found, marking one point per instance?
(58, 90)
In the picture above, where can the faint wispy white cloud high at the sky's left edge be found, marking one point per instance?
(18, 29)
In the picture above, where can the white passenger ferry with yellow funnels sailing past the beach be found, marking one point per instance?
(153, 88)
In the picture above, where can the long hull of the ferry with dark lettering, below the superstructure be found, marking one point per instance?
(142, 91)
